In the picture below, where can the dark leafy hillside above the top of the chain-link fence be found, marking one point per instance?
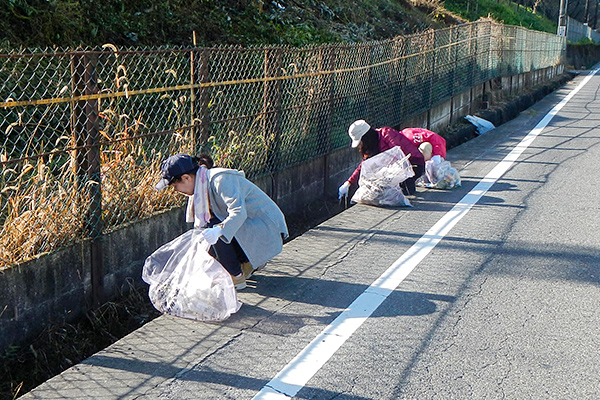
(68, 23)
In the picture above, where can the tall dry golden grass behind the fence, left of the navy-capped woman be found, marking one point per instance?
(46, 201)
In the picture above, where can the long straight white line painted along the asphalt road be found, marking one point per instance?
(297, 372)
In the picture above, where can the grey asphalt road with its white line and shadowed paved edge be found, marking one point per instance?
(488, 291)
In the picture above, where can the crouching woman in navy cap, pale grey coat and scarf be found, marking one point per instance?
(244, 227)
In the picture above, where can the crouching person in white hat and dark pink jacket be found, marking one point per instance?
(372, 141)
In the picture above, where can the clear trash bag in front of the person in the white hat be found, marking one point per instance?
(380, 179)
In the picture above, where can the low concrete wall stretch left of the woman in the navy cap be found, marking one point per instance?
(56, 287)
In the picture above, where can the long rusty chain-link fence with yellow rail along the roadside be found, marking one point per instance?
(84, 131)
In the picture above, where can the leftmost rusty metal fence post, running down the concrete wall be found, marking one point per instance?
(86, 132)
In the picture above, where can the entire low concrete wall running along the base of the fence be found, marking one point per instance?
(57, 287)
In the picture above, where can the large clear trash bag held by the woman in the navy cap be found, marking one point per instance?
(186, 281)
